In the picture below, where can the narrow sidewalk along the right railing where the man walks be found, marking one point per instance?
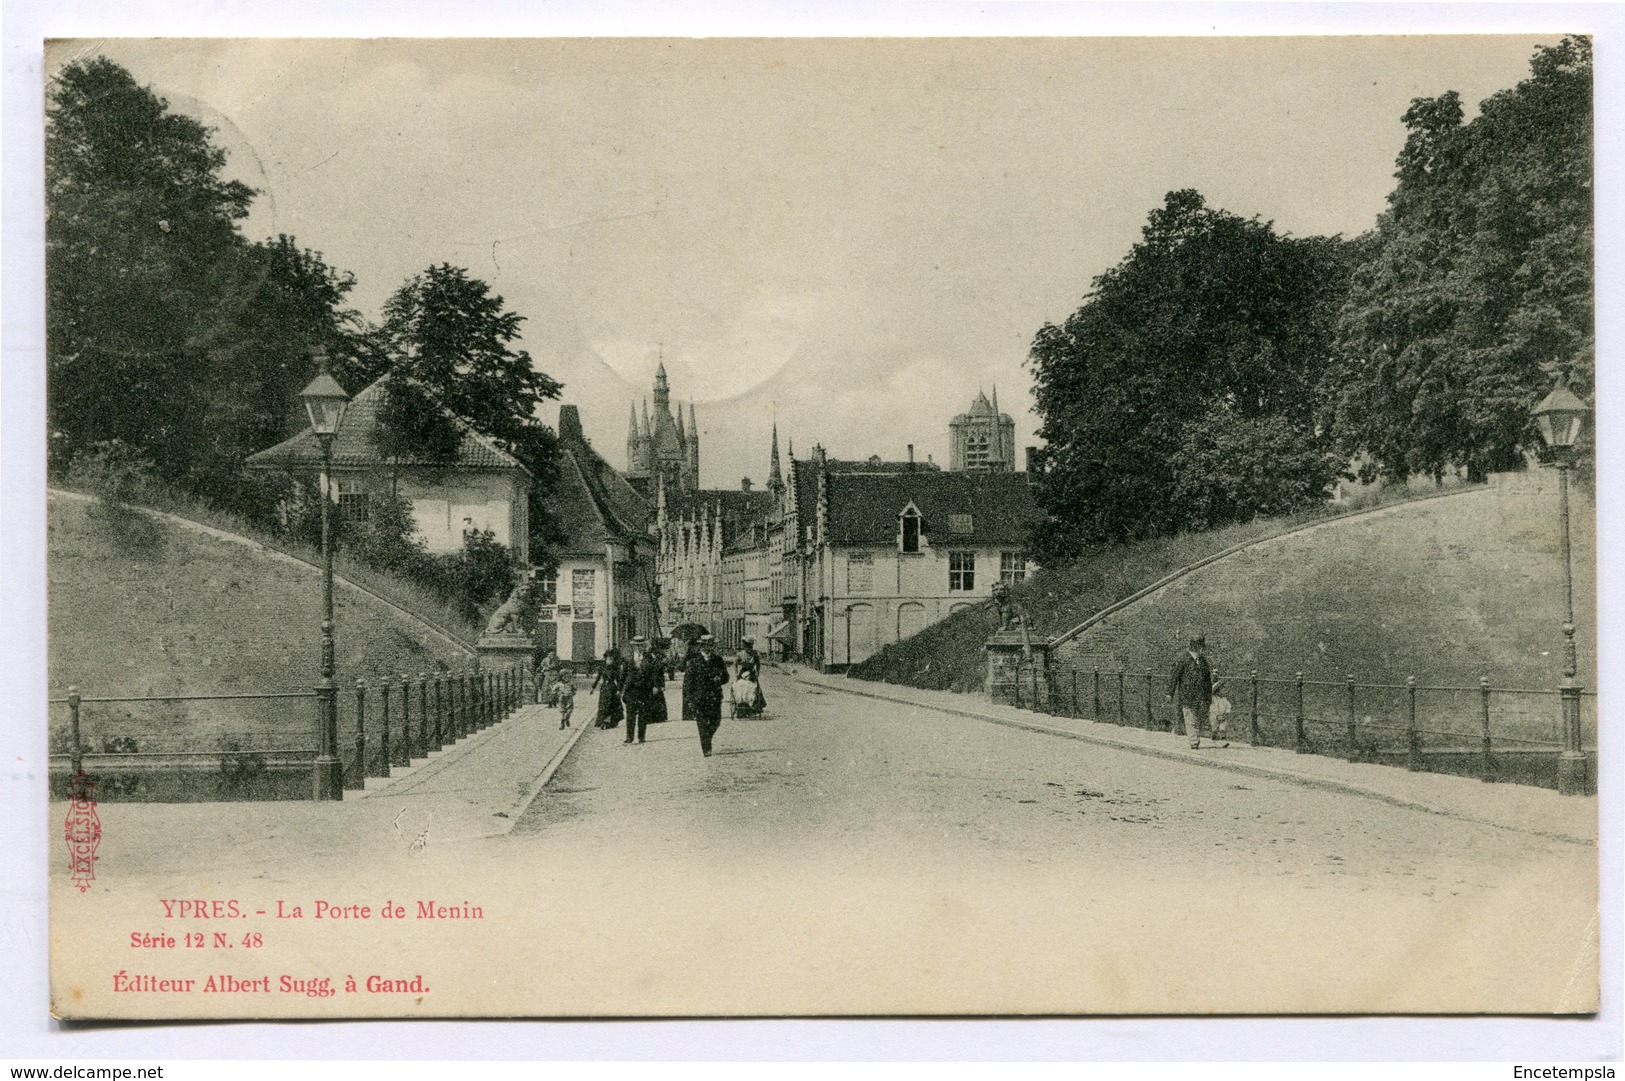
(1522, 809)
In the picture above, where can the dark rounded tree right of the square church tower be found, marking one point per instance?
(1205, 344)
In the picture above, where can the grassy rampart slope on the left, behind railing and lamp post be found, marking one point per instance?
(144, 607)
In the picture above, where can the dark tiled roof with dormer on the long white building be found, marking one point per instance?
(864, 508)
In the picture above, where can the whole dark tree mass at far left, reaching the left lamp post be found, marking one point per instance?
(165, 329)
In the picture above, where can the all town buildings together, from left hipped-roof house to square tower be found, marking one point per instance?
(830, 562)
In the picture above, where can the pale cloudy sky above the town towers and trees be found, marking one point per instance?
(851, 237)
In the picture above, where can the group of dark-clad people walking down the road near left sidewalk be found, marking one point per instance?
(635, 688)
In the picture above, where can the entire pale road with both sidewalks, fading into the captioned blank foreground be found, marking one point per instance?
(851, 856)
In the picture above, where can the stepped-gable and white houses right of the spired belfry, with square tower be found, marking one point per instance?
(839, 558)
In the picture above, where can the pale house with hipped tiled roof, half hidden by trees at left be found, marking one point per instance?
(483, 488)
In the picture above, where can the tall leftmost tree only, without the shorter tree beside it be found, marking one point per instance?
(141, 246)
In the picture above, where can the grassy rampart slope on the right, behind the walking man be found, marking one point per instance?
(1445, 591)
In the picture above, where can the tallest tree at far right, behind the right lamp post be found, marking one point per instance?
(1478, 282)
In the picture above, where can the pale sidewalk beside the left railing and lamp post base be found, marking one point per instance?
(474, 789)
